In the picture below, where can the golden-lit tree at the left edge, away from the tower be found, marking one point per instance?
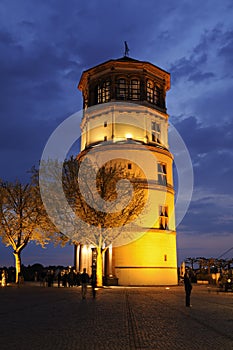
(22, 218)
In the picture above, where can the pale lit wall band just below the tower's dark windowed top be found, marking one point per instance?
(119, 121)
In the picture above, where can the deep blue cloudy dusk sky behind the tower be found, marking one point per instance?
(45, 46)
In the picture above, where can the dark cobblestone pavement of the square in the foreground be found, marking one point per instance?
(34, 317)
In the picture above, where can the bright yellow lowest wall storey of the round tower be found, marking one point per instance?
(150, 260)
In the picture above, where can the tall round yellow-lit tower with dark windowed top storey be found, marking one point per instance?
(128, 89)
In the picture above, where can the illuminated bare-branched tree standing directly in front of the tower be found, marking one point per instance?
(102, 201)
